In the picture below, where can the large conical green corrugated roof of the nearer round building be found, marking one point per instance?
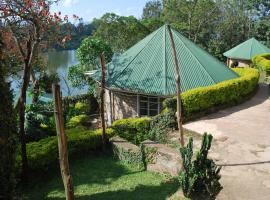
(148, 66)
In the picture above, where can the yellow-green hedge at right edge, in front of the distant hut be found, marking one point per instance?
(262, 62)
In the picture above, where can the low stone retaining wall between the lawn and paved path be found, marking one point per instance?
(150, 156)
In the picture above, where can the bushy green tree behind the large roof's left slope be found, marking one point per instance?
(119, 31)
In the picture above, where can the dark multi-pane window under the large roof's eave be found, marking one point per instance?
(149, 105)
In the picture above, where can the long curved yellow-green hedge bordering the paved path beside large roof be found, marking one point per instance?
(199, 101)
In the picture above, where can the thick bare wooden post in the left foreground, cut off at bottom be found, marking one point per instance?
(62, 143)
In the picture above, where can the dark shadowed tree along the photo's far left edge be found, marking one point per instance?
(8, 135)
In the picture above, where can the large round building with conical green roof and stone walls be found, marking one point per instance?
(139, 80)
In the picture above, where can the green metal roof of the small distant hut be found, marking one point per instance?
(247, 50)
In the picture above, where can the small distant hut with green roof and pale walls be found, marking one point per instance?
(243, 53)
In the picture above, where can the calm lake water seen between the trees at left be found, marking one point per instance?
(59, 62)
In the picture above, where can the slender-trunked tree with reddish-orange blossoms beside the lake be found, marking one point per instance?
(28, 24)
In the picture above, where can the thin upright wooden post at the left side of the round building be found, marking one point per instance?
(102, 92)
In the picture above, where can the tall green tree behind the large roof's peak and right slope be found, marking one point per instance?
(195, 19)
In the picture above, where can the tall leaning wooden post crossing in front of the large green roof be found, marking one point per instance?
(178, 89)
